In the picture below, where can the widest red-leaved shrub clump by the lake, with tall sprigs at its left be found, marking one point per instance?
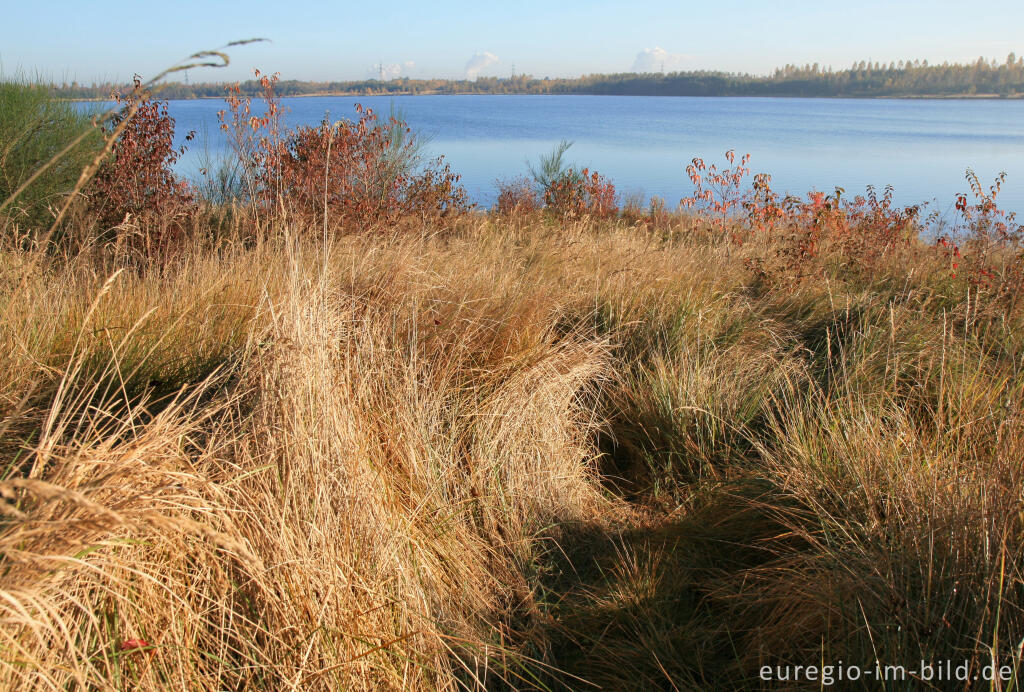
(360, 174)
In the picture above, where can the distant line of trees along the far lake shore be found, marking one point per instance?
(865, 79)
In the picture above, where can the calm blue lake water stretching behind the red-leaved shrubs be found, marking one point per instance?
(922, 148)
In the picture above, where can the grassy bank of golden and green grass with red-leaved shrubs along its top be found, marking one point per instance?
(337, 429)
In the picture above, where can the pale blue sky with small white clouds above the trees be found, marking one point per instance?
(65, 40)
